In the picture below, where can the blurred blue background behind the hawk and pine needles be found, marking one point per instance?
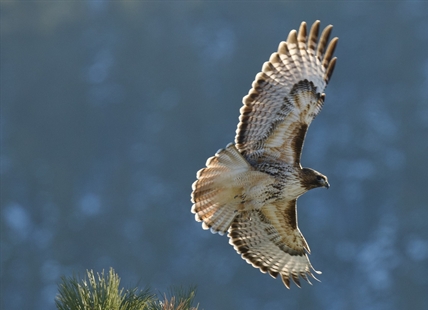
(108, 109)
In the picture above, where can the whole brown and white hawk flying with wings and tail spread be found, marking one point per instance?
(250, 188)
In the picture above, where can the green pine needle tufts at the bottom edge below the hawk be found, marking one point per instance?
(102, 292)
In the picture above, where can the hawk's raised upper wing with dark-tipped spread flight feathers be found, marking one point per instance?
(286, 96)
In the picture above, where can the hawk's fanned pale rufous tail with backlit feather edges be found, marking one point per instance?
(219, 189)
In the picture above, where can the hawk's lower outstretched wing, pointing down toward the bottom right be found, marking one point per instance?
(270, 240)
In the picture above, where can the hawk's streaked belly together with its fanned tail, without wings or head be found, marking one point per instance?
(229, 185)
